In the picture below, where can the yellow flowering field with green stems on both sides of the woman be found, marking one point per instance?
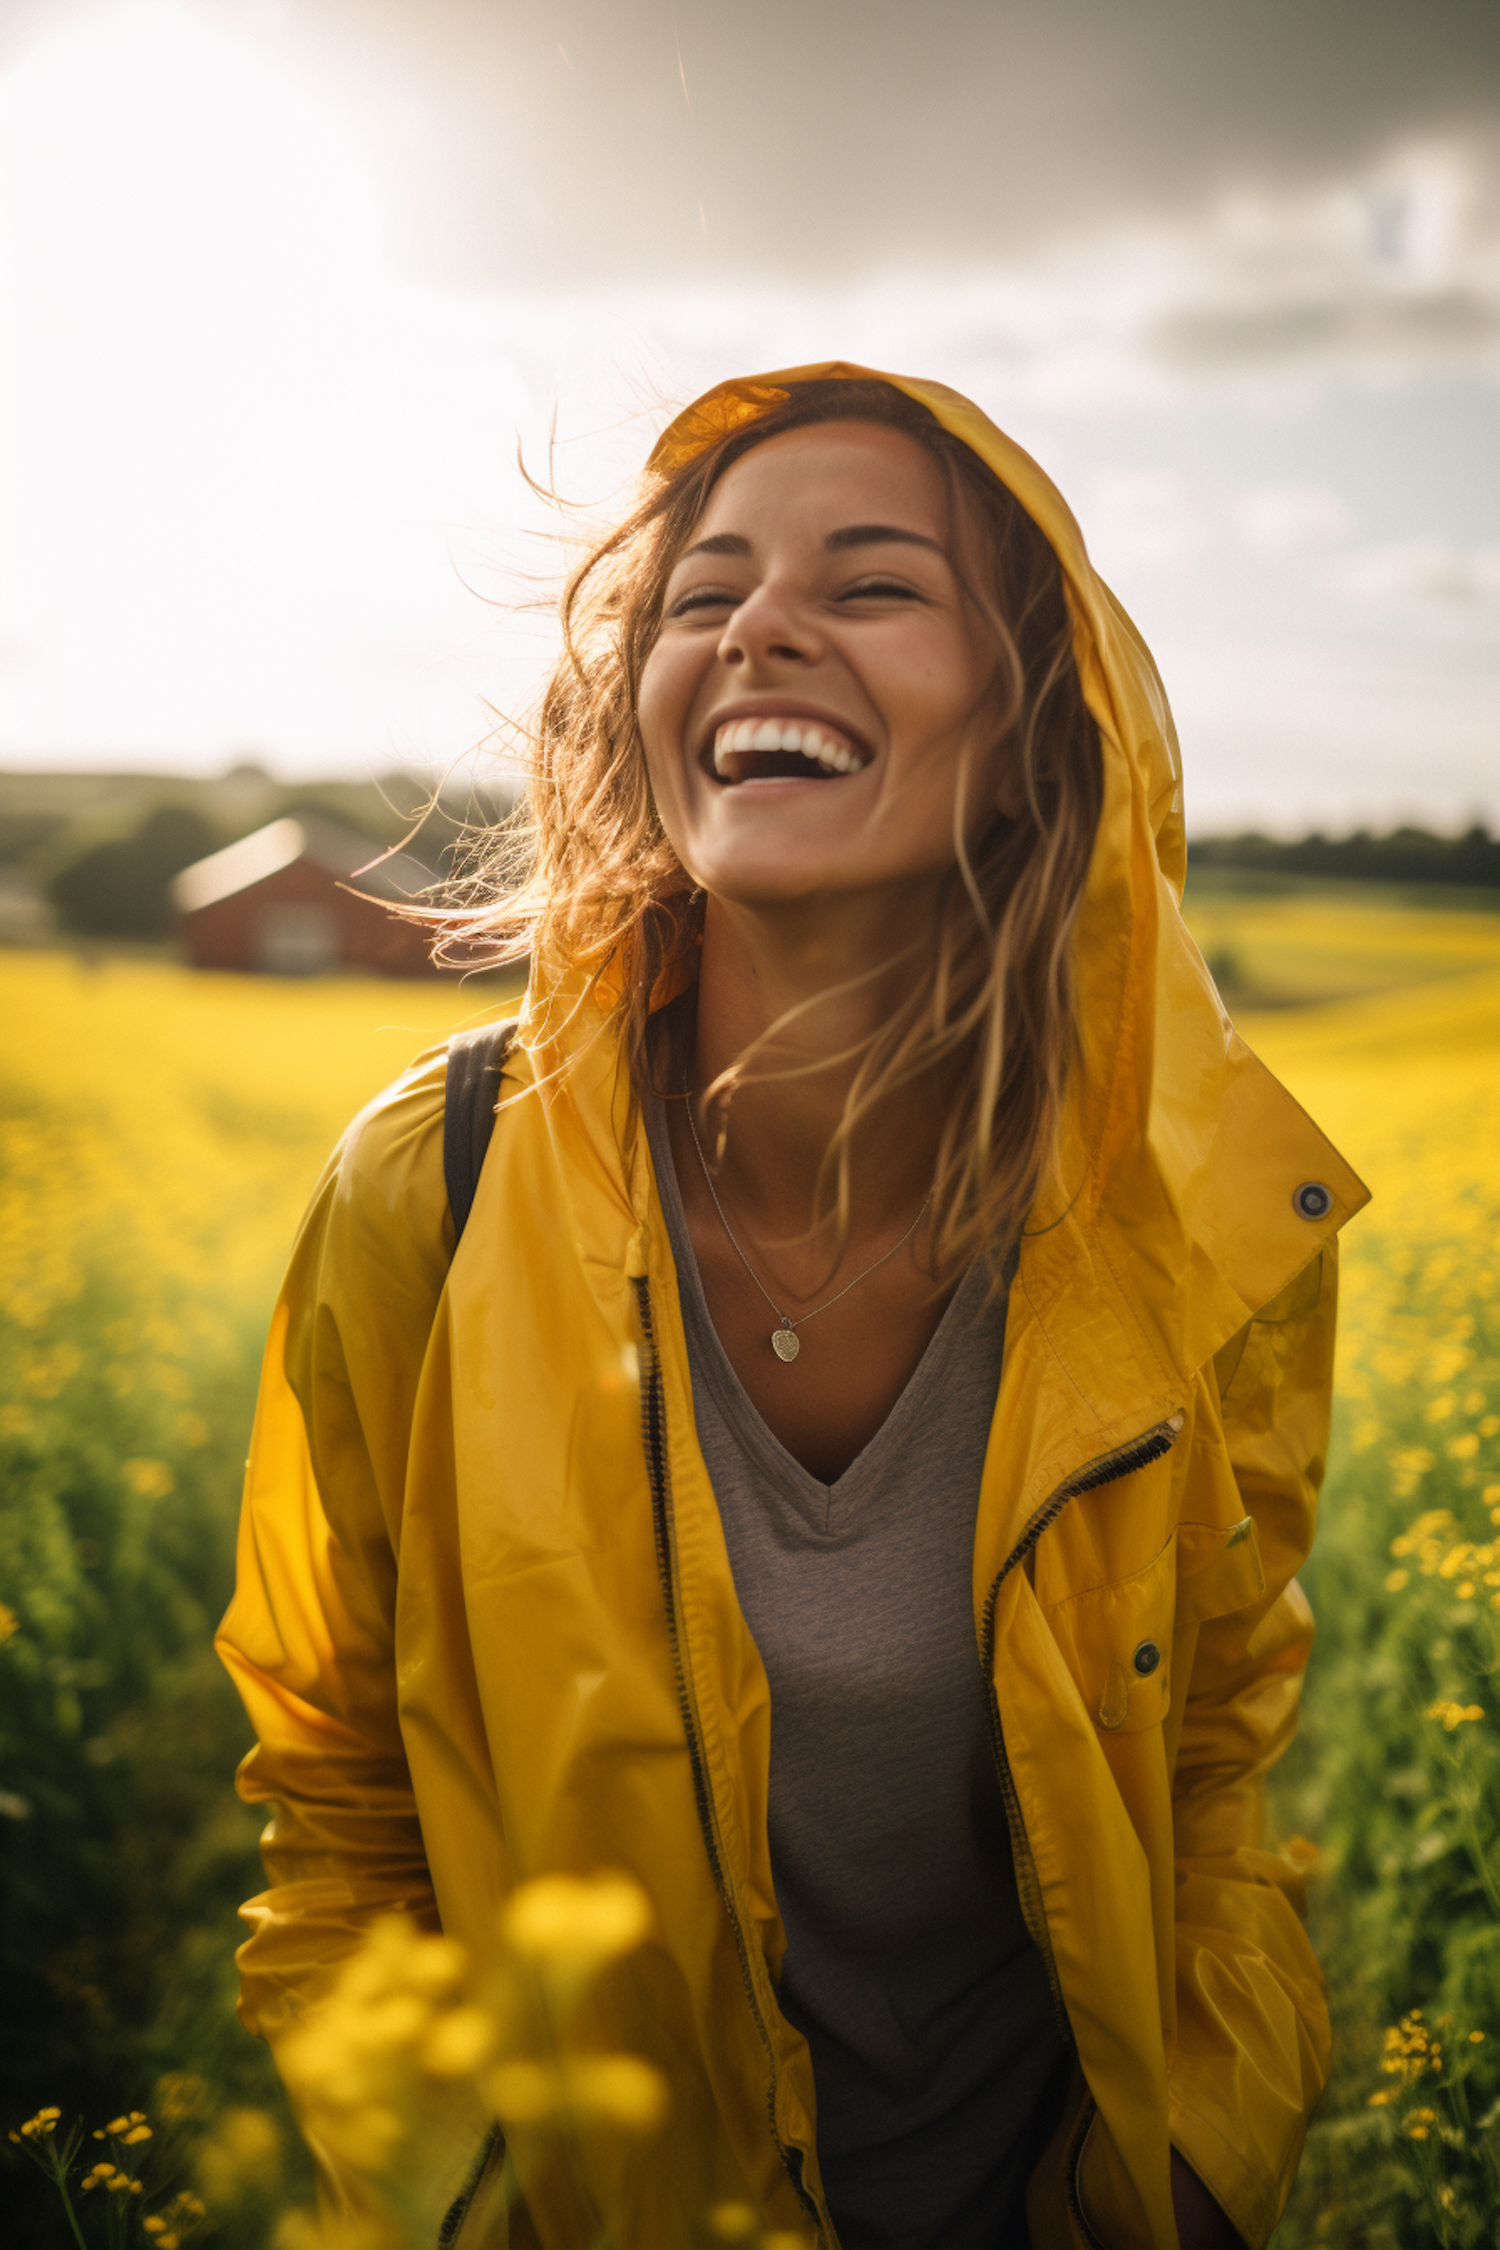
(159, 1140)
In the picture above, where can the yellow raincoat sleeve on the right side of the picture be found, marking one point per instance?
(1251, 2017)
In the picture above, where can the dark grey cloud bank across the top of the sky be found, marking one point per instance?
(545, 145)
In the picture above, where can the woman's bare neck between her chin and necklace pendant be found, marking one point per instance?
(838, 978)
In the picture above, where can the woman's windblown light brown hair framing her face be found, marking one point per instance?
(584, 876)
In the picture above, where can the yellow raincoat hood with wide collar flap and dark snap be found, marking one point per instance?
(1175, 1140)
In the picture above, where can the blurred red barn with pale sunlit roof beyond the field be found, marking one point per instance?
(282, 901)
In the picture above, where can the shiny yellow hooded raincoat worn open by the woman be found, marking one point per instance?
(487, 1626)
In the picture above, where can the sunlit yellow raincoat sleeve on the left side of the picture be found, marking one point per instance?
(309, 1637)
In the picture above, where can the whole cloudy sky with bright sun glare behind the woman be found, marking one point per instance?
(287, 282)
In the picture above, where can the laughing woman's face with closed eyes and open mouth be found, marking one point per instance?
(822, 676)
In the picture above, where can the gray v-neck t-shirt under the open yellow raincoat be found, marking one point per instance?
(937, 2049)
